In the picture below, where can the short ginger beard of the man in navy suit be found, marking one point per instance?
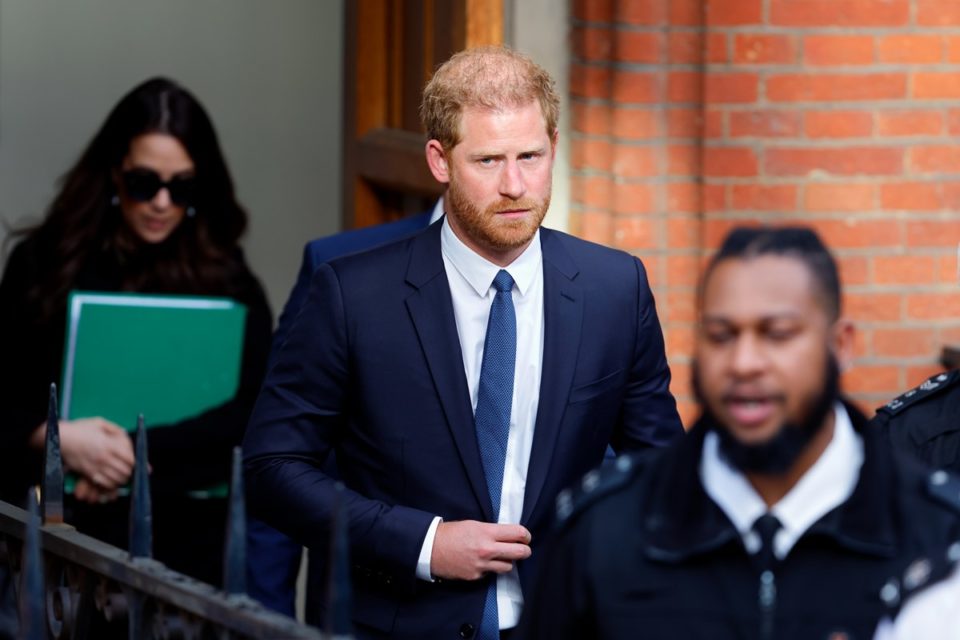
(483, 228)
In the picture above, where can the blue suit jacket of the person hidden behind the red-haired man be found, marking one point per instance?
(274, 559)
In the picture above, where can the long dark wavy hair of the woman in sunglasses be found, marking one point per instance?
(198, 257)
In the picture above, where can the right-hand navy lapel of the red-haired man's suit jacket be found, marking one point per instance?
(562, 322)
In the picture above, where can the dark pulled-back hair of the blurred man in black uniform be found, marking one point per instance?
(802, 243)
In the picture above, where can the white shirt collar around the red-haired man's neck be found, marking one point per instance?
(479, 272)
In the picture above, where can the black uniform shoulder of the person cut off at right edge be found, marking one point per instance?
(925, 421)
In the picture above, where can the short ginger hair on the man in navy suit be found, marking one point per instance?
(489, 77)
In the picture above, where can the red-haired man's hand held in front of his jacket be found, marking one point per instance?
(467, 549)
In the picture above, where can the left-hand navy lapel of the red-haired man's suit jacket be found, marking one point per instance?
(431, 309)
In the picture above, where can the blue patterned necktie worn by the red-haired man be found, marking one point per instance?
(492, 416)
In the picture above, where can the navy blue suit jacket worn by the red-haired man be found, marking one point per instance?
(372, 369)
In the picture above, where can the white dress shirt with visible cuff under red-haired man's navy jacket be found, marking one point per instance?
(471, 286)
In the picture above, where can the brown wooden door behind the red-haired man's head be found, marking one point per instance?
(392, 47)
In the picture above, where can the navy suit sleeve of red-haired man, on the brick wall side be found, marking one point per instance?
(649, 415)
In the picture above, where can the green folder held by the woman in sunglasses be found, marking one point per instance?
(167, 357)
